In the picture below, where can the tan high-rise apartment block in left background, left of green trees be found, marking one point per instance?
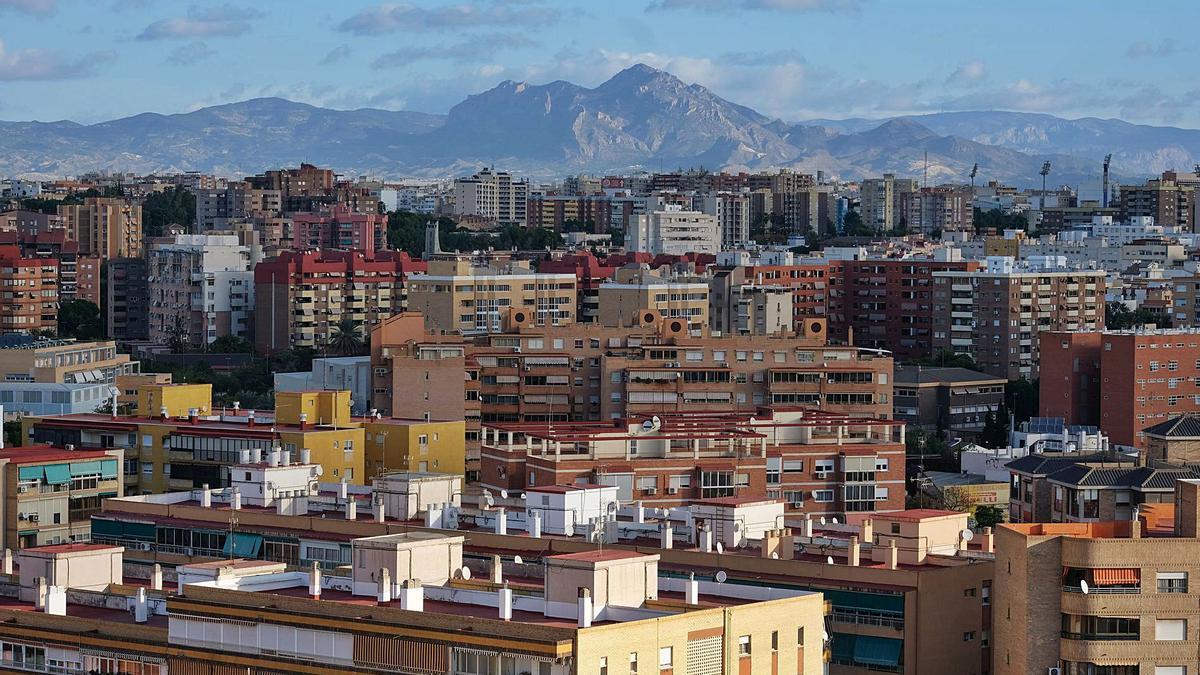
(105, 228)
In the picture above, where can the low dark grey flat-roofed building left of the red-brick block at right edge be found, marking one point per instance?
(957, 401)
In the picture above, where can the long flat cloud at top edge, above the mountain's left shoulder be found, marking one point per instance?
(394, 17)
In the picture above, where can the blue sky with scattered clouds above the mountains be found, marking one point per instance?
(92, 61)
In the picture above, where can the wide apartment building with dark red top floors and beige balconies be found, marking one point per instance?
(302, 296)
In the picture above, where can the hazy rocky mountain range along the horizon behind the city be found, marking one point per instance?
(641, 120)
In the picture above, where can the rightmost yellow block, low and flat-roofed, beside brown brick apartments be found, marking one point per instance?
(416, 446)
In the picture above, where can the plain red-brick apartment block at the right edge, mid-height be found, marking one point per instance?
(1121, 380)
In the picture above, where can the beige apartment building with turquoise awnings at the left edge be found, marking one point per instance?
(51, 494)
